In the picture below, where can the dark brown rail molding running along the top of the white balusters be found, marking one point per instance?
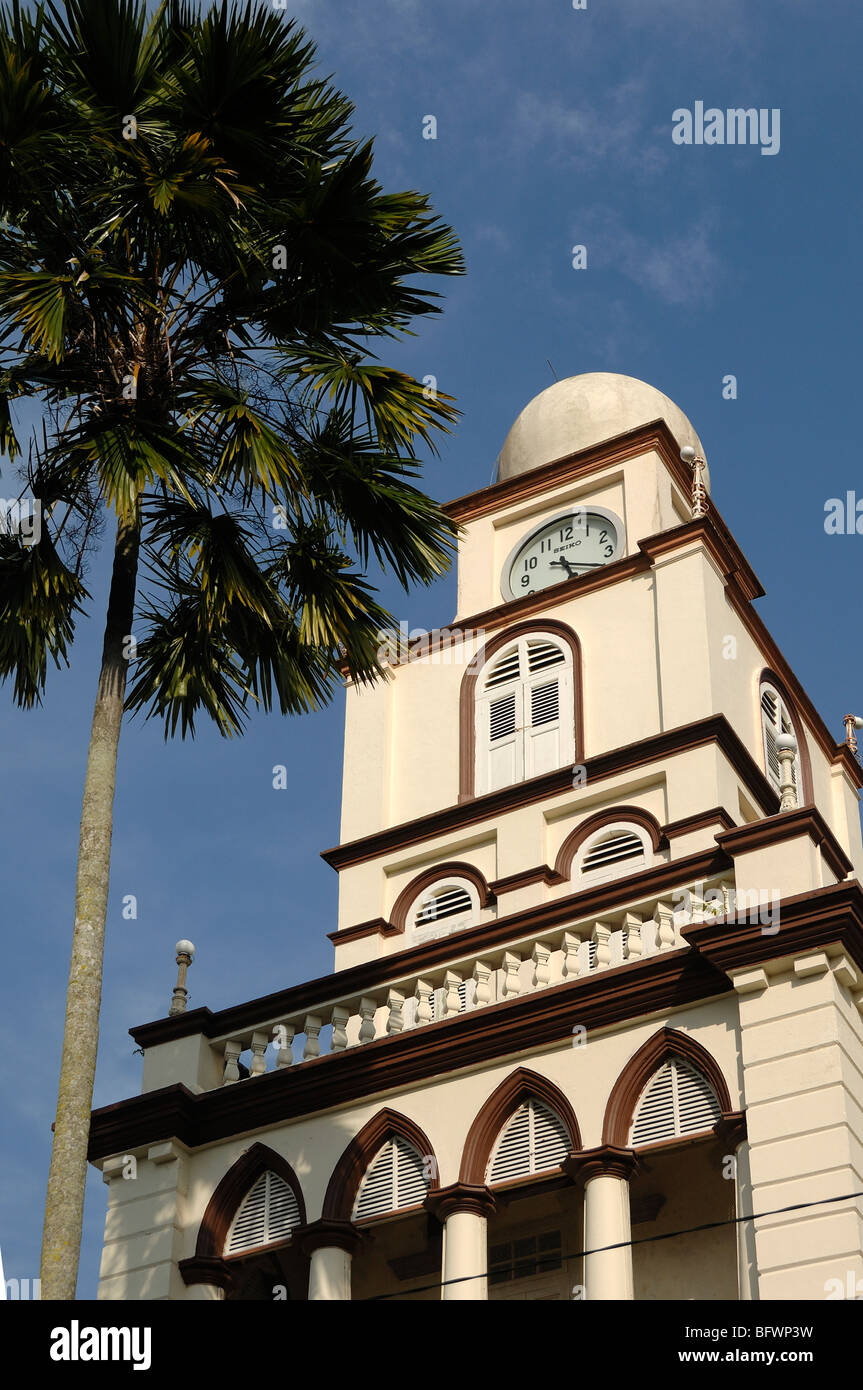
(604, 897)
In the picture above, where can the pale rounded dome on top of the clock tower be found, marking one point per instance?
(586, 411)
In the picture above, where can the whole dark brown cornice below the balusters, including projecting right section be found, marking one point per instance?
(655, 985)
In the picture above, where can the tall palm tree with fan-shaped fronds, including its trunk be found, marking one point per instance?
(195, 261)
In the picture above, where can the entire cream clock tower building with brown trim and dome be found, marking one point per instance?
(595, 1024)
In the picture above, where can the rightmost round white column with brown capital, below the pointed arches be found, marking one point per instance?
(608, 1274)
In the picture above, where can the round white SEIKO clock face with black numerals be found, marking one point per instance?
(579, 541)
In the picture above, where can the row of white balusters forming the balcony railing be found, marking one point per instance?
(466, 983)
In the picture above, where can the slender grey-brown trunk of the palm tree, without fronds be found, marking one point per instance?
(67, 1178)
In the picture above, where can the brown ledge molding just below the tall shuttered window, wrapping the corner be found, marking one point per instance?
(712, 730)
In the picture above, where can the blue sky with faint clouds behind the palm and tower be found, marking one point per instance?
(554, 130)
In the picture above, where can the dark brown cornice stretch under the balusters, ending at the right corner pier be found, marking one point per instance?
(500, 1031)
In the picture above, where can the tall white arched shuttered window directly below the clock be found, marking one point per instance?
(525, 722)
